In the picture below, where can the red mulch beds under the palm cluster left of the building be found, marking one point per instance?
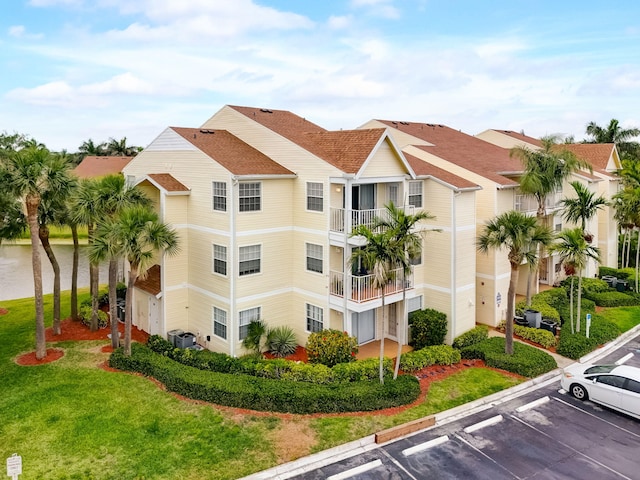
(76, 331)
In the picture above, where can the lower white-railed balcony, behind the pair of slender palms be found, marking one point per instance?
(362, 289)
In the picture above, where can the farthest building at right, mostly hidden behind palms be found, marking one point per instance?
(605, 161)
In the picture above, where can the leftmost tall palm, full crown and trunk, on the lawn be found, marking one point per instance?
(31, 171)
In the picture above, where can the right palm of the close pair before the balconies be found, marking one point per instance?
(402, 228)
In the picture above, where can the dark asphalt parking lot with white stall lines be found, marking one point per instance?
(544, 434)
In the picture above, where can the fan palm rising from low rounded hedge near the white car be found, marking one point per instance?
(516, 232)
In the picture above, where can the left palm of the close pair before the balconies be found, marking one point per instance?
(378, 256)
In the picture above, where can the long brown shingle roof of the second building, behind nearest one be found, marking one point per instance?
(469, 152)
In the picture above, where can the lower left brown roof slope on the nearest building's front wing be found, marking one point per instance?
(231, 152)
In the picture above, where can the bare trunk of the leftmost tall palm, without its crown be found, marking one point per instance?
(32, 203)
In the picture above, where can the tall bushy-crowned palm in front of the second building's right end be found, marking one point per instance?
(545, 171)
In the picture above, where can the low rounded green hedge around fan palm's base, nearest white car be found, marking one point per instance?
(526, 360)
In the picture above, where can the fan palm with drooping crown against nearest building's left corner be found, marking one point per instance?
(137, 234)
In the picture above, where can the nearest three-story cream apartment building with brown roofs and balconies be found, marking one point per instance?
(264, 202)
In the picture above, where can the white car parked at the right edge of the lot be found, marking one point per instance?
(614, 386)
